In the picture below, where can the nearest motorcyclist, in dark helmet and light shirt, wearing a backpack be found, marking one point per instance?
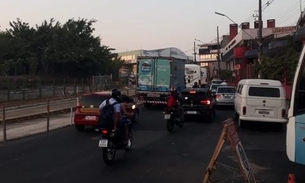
(119, 111)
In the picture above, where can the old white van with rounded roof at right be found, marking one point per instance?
(261, 100)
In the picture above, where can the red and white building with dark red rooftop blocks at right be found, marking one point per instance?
(242, 50)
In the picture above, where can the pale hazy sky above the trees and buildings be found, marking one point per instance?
(142, 24)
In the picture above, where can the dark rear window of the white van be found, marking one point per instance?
(264, 92)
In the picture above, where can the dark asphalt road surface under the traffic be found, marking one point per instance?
(68, 156)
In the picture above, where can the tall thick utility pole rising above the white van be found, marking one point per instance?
(260, 34)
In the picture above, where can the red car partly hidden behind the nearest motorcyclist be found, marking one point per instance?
(87, 110)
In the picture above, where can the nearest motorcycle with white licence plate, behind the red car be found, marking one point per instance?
(113, 141)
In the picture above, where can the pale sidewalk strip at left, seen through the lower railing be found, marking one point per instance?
(31, 127)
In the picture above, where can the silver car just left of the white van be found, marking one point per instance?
(225, 96)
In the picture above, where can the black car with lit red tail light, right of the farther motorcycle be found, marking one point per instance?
(198, 102)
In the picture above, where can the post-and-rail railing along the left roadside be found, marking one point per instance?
(27, 118)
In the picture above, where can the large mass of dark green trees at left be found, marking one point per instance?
(54, 49)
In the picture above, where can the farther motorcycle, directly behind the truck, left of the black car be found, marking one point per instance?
(173, 118)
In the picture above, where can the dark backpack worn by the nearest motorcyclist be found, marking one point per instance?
(107, 114)
